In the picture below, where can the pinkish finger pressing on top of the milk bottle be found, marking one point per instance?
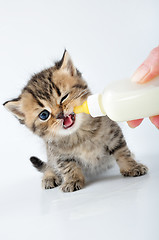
(149, 69)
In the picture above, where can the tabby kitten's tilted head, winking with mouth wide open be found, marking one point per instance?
(46, 103)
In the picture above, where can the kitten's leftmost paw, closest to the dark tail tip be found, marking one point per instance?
(50, 179)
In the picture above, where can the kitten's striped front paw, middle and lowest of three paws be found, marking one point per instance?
(72, 186)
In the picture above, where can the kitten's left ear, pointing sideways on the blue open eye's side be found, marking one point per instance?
(14, 106)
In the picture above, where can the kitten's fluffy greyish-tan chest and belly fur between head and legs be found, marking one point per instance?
(87, 146)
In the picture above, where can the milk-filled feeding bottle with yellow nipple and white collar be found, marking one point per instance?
(124, 100)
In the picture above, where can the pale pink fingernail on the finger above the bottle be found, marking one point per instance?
(140, 74)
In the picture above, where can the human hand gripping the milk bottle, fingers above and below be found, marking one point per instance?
(148, 70)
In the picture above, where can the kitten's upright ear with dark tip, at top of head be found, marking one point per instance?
(66, 64)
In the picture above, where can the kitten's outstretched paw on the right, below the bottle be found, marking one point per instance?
(137, 170)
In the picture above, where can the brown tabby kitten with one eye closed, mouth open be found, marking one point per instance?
(77, 145)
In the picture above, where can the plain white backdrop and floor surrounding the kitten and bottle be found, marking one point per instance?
(107, 41)
